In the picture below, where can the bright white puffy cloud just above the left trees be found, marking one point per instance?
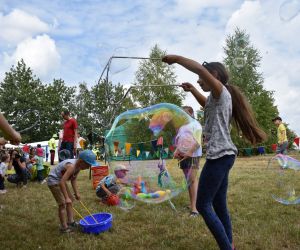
(39, 53)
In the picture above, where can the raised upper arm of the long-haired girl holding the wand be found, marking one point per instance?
(215, 85)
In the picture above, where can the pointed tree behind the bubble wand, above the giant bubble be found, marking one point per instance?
(155, 72)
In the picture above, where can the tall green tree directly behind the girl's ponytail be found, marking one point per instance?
(243, 61)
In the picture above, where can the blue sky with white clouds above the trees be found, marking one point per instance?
(73, 40)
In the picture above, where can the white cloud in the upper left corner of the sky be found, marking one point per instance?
(19, 25)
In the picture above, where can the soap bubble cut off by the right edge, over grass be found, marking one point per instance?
(285, 174)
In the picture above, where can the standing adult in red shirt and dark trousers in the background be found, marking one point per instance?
(69, 140)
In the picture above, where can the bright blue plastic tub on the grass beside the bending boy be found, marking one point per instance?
(104, 222)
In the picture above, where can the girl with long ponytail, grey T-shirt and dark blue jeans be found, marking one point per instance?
(224, 104)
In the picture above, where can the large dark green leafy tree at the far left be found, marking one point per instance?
(21, 91)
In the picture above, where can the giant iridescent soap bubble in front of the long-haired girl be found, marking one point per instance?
(145, 142)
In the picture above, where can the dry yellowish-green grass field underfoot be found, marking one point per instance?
(29, 218)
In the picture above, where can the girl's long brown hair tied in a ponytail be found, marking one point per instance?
(242, 113)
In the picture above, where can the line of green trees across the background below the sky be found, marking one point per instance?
(96, 106)
